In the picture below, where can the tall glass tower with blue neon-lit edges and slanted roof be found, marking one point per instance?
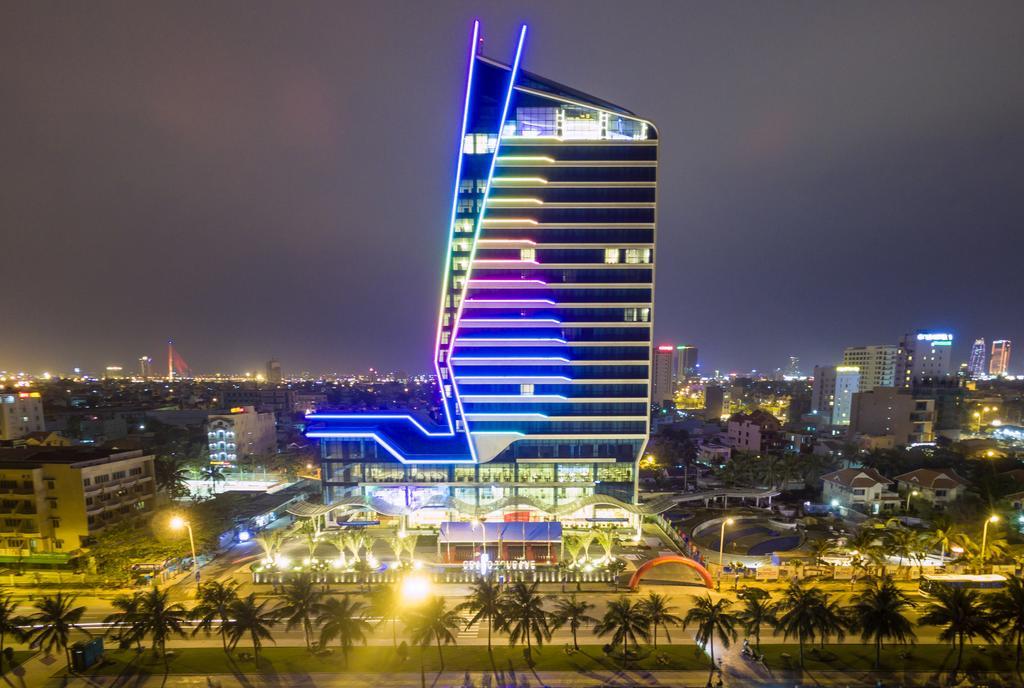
(544, 338)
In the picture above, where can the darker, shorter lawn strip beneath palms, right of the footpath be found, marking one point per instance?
(919, 658)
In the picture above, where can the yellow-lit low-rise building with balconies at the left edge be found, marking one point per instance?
(53, 500)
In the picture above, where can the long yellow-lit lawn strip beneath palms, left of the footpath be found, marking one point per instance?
(298, 661)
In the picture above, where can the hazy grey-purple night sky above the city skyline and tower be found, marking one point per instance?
(262, 180)
